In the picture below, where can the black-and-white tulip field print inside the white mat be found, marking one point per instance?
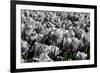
(54, 36)
